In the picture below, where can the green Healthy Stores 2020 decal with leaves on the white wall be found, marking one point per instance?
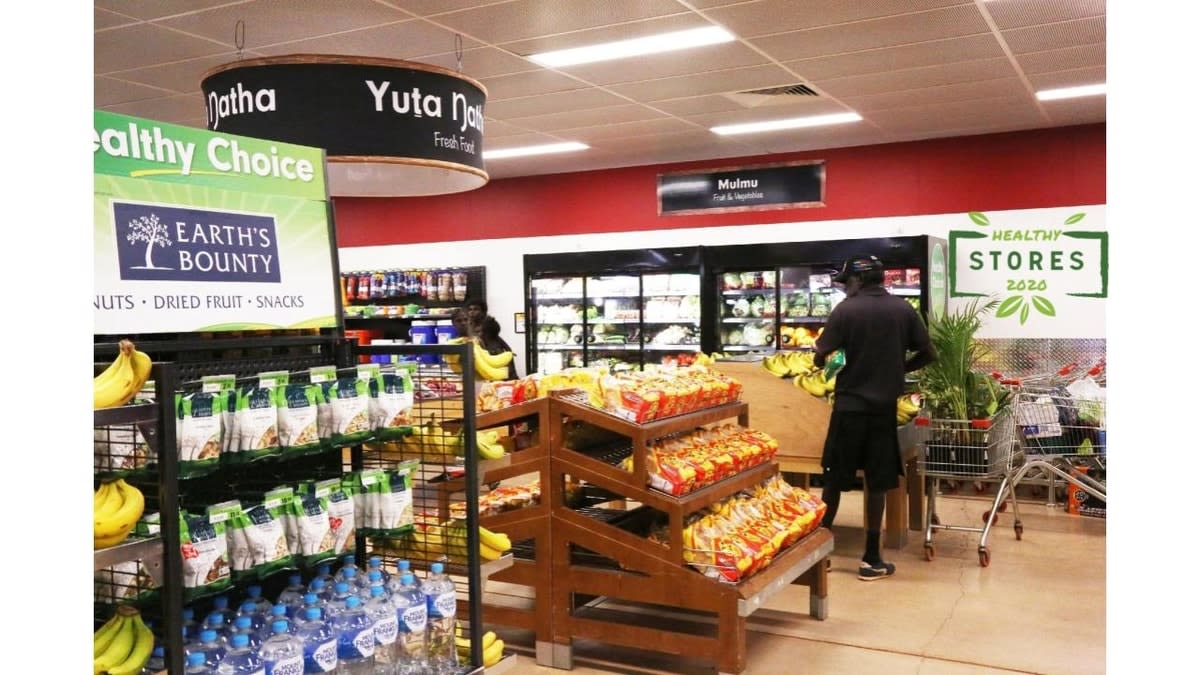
(1029, 267)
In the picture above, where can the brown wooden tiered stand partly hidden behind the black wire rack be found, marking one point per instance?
(529, 528)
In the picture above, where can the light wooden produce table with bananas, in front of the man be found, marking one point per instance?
(800, 422)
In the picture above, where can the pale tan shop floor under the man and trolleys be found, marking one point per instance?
(1040, 607)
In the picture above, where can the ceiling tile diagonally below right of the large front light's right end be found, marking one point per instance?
(920, 55)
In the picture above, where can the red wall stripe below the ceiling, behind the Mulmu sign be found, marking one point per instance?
(1027, 170)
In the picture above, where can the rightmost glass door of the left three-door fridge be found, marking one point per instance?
(671, 319)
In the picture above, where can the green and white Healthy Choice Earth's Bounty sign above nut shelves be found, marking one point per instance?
(199, 231)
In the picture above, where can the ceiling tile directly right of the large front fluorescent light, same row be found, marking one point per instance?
(938, 25)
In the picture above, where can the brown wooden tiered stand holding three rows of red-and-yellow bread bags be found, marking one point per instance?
(597, 555)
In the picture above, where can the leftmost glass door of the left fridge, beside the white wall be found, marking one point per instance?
(559, 310)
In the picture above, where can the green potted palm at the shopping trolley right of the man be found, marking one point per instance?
(958, 396)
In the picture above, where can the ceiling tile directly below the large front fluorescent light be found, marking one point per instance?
(712, 58)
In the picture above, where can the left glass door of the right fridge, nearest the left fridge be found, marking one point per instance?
(748, 308)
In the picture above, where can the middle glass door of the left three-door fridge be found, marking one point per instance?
(614, 316)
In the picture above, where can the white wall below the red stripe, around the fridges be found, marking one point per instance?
(1077, 318)
